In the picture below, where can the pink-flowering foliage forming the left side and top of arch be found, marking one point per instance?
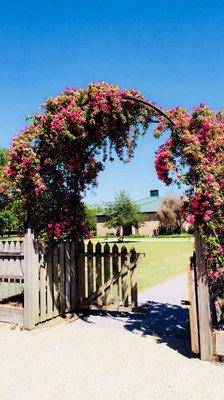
(59, 155)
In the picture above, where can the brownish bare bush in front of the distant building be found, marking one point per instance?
(170, 215)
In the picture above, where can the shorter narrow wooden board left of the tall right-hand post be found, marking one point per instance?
(193, 311)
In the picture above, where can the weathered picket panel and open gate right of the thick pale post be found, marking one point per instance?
(78, 276)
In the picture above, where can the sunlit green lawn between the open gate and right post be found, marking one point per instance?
(163, 260)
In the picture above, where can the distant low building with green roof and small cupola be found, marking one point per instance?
(148, 208)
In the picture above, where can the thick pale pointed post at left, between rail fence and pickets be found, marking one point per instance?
(31, 282)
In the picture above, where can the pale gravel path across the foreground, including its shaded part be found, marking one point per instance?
(89, 359)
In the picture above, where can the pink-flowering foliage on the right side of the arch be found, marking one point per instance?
(194, 155)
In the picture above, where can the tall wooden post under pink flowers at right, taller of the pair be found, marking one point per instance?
(204, 314)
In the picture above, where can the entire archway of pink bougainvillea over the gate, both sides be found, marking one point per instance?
(60, 153)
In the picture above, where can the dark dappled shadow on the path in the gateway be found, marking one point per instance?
(168, 323)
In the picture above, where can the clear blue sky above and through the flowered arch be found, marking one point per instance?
(172, 51)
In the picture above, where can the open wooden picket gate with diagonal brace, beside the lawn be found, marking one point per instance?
(107, 278)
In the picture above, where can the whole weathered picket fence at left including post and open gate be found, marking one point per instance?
(69, 276)
